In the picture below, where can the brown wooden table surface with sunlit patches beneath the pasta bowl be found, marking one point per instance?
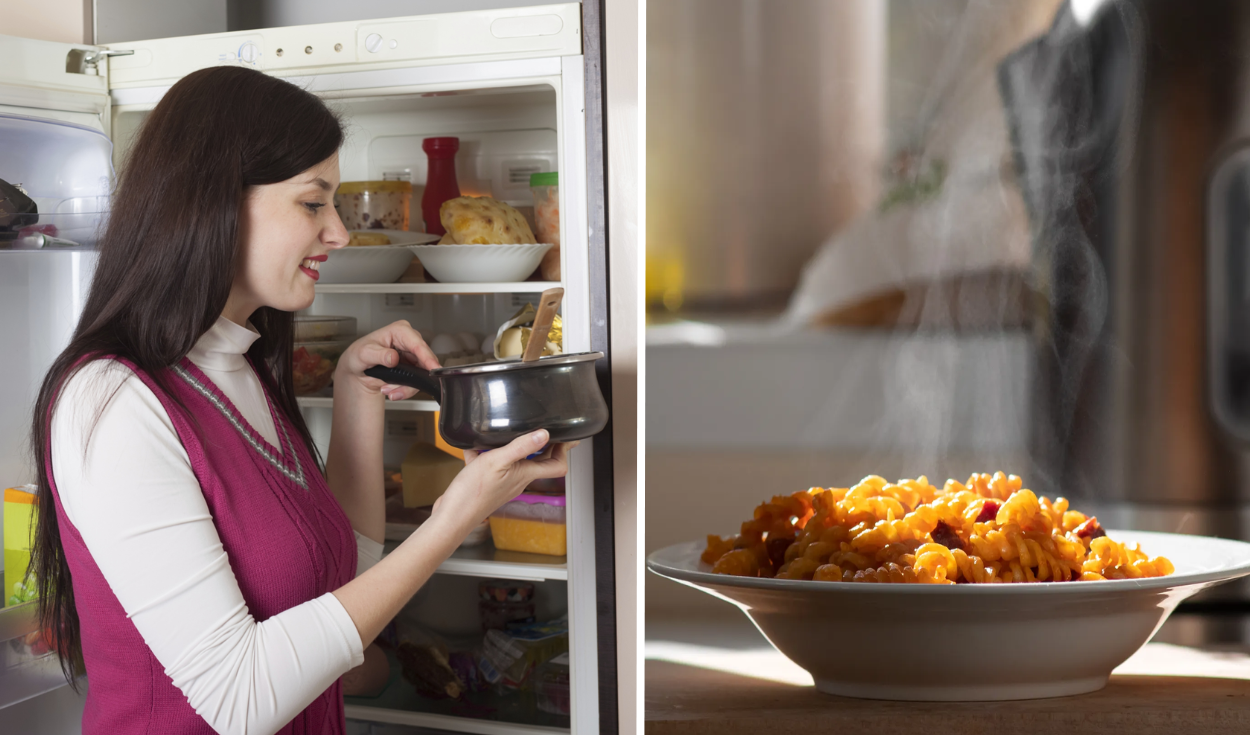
(732, 684)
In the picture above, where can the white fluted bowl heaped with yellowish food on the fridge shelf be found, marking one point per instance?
(487, 241)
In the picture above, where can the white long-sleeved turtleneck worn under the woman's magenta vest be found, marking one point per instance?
(136, 502)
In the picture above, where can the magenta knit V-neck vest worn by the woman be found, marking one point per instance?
(288, 542)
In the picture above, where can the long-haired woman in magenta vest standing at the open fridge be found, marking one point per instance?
(191, 551)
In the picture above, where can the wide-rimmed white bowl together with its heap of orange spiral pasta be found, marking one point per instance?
(971, 592)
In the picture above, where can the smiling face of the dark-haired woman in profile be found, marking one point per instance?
(287, 231)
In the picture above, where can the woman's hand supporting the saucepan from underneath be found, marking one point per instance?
(492, 479)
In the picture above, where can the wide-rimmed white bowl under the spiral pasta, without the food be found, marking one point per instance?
(966, 643)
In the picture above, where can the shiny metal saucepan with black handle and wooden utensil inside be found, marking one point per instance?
(491, 404)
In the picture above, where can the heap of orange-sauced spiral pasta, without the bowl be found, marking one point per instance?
(987, 531)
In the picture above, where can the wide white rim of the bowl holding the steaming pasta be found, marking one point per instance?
(662, 563)
